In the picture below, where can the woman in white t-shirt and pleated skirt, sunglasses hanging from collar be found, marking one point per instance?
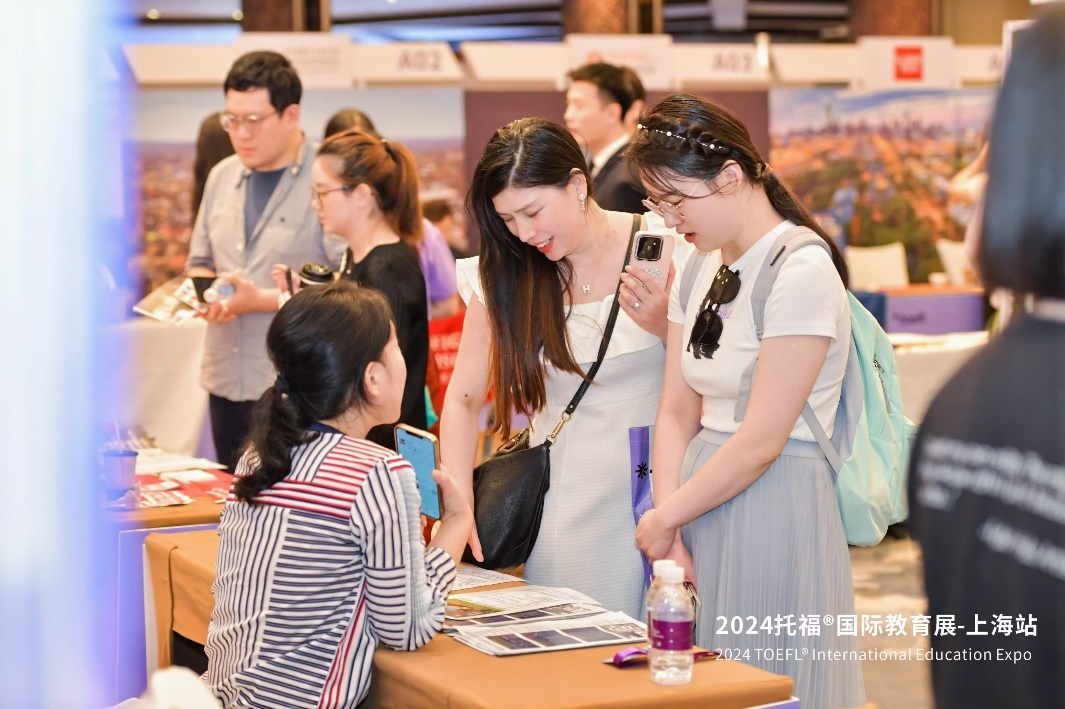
(749, 507)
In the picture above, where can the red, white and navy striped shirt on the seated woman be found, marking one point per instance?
(326, 564)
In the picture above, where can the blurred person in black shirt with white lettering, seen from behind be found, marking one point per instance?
(988, 474)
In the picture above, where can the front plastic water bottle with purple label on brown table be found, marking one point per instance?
(673, 623)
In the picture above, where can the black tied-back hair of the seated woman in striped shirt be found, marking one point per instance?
(321, 343)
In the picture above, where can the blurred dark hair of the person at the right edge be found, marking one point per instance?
(1023, 237)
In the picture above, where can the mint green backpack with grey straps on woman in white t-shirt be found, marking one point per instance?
(870, 450)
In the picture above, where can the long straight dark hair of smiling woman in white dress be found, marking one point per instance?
(525, 292)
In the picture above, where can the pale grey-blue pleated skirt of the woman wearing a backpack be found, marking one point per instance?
(778, 552)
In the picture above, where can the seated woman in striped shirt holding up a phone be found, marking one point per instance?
(321, 553)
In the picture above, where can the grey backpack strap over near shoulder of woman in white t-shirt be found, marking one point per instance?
(787, 244)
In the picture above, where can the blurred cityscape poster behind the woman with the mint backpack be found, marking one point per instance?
(875, 169)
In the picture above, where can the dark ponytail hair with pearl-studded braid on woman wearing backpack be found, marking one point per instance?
(686, 137)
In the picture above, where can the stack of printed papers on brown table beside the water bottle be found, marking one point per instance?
(536, 619)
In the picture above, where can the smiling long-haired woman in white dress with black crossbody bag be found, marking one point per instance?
(539, 299)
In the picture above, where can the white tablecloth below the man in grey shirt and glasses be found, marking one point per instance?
(160, 377)
